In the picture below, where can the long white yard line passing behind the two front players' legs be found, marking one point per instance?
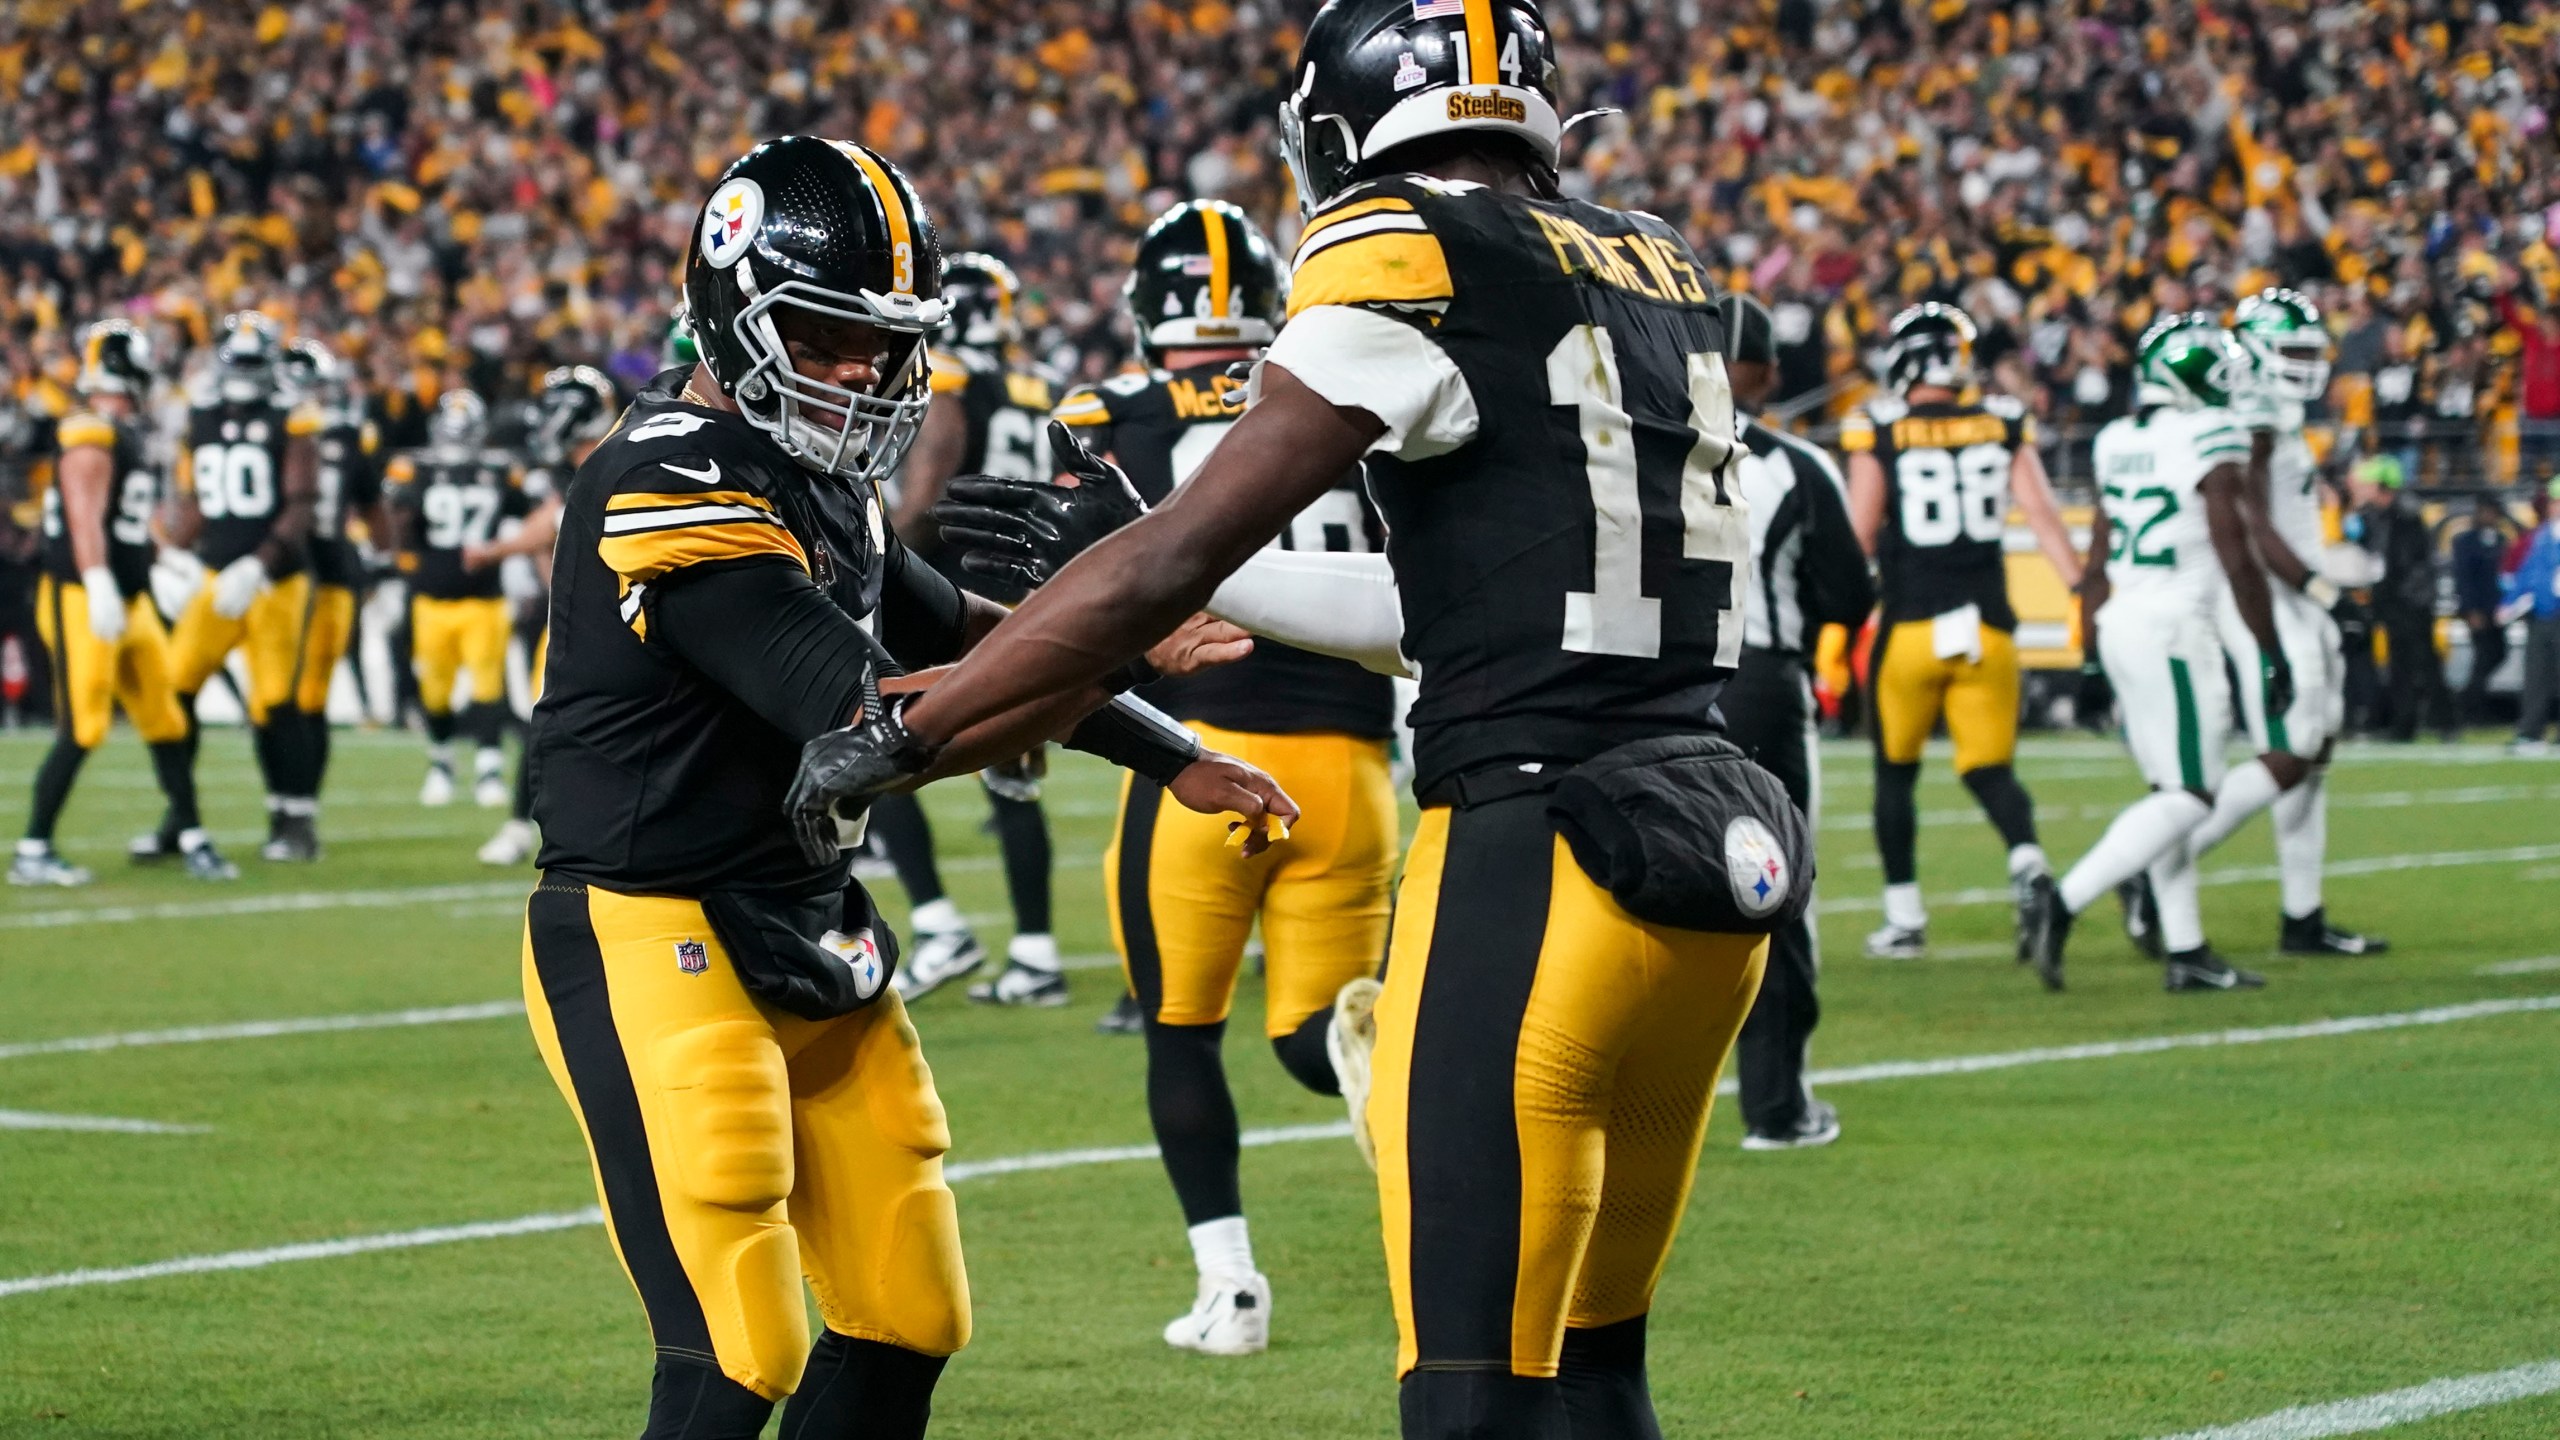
(1292, 1134)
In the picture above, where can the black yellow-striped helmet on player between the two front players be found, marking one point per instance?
(1204, 278)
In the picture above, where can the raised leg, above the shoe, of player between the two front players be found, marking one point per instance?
(1325, 916)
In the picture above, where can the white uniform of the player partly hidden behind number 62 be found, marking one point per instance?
(2305, 632)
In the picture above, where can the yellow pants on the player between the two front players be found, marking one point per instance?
(1184, 901)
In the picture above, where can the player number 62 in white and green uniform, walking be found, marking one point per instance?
(2175, 524)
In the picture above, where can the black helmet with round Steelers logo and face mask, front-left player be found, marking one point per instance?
(828, 229)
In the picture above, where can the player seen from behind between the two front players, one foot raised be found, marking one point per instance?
(1204, 293)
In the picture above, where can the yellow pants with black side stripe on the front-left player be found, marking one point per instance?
(741, 1149)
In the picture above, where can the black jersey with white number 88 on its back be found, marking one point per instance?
(1947, 503)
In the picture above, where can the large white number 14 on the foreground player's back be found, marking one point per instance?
(1617, 616)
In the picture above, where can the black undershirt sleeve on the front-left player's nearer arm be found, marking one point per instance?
(762, 632)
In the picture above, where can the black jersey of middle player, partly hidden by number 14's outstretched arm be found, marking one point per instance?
(1161, 427)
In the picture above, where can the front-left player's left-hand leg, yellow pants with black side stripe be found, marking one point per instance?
(687, 1108)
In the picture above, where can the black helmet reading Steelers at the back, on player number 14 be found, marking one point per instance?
(1384, 73)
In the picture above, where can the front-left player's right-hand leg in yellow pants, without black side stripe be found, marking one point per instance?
(877, 1226)
